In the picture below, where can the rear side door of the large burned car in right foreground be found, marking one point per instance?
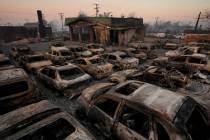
(132, 124)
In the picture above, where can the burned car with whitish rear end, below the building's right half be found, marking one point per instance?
(121, 60)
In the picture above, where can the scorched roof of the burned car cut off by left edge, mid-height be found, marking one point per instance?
(12, 74)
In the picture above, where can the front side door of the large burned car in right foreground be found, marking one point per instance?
(103, 112)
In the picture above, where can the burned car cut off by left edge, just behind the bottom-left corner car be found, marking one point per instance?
(16, 88)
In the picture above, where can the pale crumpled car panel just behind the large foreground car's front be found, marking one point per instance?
(122, 76)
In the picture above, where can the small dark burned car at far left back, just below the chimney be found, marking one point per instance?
(19, 51)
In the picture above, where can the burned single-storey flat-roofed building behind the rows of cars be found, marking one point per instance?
(105, 30)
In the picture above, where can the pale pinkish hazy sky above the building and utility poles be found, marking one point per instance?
(20, 11)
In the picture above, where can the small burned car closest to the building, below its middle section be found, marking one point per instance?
(95, 48)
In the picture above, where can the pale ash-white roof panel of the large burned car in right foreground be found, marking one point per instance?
(165, 102)
